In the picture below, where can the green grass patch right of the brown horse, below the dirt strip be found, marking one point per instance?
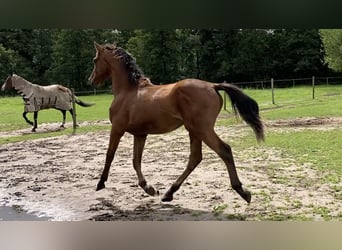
(322, 149)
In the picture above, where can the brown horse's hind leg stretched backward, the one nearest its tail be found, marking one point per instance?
(225, 152)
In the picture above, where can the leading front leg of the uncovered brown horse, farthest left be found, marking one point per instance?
(113, 145)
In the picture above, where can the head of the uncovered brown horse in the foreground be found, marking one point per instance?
(101, 67)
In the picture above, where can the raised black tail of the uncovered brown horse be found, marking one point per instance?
(246, 106)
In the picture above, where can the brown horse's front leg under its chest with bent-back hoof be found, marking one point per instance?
(139, 143)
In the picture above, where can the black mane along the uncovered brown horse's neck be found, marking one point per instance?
(134, 71)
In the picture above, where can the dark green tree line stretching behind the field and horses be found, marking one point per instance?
(47, 56)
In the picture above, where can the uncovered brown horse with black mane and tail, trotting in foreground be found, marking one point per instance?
(142, 108)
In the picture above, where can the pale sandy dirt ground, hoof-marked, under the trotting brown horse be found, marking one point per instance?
(56, 177)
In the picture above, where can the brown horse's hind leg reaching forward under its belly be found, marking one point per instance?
(194, 159)
